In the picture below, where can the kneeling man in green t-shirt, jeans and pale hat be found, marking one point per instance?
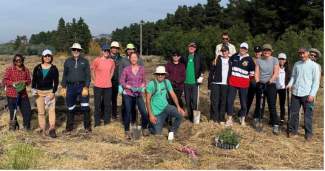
(158, 90)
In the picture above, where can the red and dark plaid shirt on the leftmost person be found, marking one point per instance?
(12, 75)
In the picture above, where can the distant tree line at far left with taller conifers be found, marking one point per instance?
(58, 40)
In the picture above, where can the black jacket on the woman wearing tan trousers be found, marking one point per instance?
(51, 80)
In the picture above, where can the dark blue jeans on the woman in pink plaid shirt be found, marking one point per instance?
(130, 102)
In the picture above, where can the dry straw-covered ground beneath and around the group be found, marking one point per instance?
(106, 147)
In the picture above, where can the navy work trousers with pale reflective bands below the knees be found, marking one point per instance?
(73, 92)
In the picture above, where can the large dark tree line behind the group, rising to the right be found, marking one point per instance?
(287, 25)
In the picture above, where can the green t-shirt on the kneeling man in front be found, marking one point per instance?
(159, 100)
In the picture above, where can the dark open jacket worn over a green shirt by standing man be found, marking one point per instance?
(199, 64)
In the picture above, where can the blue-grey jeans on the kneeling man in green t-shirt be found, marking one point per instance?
(169, 111)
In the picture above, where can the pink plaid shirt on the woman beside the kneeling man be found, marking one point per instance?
(135, 81)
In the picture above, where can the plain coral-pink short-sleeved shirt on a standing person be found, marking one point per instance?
(103, 70)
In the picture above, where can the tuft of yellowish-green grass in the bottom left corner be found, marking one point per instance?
(21, 156)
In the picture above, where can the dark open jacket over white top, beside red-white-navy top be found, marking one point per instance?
(215, 74)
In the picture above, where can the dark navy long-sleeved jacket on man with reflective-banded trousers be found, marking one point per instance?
(76, 71)
